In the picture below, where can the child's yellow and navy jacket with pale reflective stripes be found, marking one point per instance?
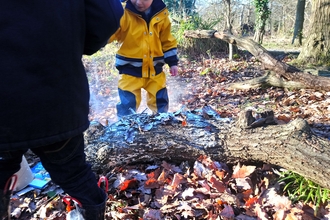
(146, 42)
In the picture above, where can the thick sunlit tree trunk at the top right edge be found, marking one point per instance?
(316, 49)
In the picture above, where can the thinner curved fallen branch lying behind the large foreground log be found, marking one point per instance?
(294, 77)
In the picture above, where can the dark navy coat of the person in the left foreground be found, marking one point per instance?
(44, 92)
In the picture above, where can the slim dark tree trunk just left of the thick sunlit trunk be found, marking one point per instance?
(299, 23)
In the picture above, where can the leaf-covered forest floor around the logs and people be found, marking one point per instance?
(169, 191)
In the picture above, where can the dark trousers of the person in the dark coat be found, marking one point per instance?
(65, 161)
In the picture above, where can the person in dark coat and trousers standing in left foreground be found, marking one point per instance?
(44, 92)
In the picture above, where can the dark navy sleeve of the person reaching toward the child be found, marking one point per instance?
(102, 20)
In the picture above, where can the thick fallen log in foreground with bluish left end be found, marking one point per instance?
(185, 135)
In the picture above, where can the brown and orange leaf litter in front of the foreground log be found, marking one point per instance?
(208, 190)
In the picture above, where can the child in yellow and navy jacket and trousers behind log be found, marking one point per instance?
(146, 44)
